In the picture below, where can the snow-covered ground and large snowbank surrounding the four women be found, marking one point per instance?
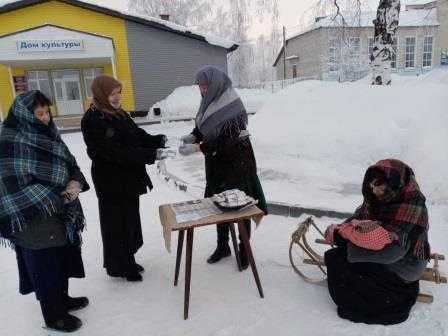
(313, 142)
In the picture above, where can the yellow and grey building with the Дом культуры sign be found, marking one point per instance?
(60, 46)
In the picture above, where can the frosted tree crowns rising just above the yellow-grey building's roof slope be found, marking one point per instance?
(184, 12)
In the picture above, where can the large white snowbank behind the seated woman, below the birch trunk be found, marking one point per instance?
(331, 132)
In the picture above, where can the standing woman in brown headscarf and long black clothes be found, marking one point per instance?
(119, 150)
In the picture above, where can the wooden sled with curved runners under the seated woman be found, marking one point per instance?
(312, 257)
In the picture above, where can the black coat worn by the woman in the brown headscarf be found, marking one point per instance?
(119, 150)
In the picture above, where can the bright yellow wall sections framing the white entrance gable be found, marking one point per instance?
(71, 17)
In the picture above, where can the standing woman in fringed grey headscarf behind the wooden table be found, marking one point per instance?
(221, 135)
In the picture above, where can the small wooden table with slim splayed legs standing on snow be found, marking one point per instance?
(167, 216)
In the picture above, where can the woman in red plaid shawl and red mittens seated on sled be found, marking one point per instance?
(382, 251)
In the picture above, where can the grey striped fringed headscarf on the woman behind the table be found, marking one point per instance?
(221, 108)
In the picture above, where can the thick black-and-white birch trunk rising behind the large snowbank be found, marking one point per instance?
(386, 24)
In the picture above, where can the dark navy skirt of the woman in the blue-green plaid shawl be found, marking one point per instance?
(45, 272)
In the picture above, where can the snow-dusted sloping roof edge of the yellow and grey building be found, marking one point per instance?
(7, 6)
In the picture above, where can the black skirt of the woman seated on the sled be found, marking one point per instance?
(368, 292)
